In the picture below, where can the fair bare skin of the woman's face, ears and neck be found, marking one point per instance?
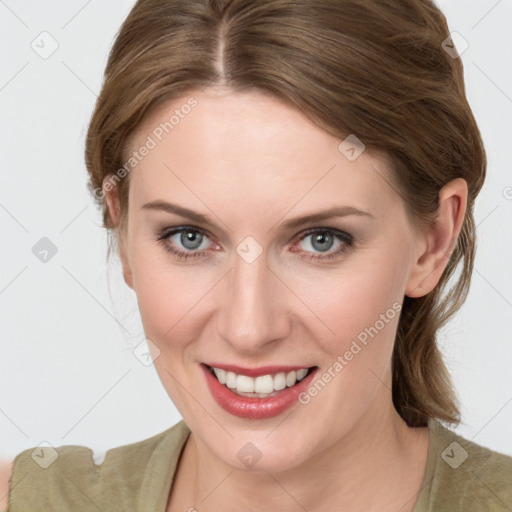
(249, 161)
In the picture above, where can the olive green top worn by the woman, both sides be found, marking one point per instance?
(461, 476)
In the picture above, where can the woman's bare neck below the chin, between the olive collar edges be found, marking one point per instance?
(378, 465)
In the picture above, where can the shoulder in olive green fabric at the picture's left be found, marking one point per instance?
(53, 478)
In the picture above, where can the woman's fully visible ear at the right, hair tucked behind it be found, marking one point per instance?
(436, 244)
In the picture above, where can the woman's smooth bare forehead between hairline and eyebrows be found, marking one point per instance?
(250, 147)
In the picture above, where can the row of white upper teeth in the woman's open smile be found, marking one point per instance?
(264, 385)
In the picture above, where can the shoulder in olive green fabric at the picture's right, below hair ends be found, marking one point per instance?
(463, 475)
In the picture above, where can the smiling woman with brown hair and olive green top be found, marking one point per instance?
(289, 186)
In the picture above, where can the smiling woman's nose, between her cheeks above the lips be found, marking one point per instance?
(253, 310)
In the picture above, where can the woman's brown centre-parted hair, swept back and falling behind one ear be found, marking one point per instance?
(376, 69)
